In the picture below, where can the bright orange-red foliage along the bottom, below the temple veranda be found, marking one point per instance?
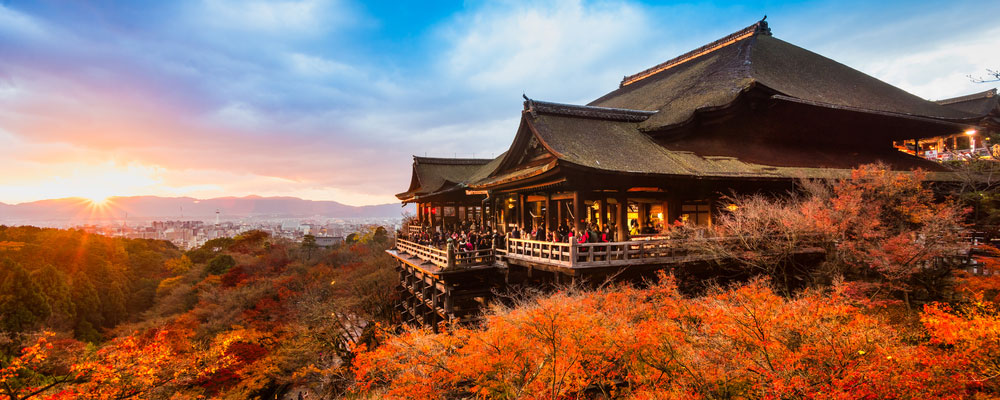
(745, 342)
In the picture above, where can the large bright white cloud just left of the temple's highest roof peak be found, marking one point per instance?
(542, 48)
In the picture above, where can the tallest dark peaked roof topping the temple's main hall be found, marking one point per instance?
(716, 75)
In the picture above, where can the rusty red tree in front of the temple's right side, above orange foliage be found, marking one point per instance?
(877, 226)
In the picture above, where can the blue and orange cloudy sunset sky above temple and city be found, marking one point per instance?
(327, 100)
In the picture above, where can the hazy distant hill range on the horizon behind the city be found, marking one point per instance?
(76, 209)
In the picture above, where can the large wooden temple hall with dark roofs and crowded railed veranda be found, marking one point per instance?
(744, 114)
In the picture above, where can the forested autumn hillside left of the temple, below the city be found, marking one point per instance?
(239, 318)
